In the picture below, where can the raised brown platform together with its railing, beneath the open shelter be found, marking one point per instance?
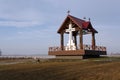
(86, 52)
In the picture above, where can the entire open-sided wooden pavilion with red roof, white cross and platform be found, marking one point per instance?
(75, 48)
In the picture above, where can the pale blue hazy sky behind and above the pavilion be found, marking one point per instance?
(29, 27)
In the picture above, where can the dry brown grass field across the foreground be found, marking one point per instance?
(88, 69)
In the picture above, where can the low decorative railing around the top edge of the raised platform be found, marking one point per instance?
(85, 47)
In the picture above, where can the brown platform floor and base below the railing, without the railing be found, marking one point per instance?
(77, 54)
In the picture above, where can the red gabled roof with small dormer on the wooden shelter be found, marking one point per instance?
(79, 22)
